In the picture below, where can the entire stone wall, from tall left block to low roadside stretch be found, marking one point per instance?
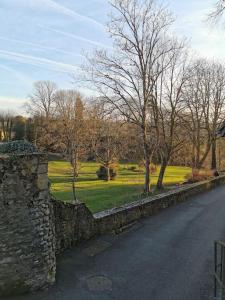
(34, 227)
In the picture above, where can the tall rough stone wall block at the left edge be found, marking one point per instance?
(27, 237)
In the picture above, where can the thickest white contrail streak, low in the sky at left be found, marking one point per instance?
(38, 61)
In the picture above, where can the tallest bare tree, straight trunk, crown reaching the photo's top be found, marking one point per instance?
(126, 78)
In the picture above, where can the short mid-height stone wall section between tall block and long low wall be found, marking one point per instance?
(73, 223)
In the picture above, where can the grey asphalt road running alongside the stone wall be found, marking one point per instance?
(165, 257)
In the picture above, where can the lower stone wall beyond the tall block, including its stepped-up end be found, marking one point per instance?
(74, 222)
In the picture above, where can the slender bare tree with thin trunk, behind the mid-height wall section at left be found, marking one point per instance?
(69, 109)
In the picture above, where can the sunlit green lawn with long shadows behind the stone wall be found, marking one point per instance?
(99, 195)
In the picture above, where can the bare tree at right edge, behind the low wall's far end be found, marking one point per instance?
(204, 97)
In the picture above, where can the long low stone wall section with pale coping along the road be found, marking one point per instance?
(114, 220)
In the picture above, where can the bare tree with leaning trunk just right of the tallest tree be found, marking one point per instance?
(170, 105)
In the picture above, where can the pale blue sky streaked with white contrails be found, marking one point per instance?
(46, 40)
